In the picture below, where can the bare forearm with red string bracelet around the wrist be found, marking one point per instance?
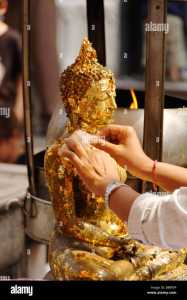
(169, 177)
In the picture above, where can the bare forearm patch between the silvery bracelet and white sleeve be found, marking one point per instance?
(121, 201)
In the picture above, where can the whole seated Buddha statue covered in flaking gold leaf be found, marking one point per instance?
(90, 242)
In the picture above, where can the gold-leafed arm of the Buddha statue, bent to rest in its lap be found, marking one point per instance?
(60, 183)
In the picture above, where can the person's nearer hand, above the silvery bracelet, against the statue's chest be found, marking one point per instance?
(95, 167)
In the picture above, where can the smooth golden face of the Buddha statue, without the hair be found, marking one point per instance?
(98, 104)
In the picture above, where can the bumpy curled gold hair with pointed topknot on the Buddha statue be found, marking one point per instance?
(77, 78)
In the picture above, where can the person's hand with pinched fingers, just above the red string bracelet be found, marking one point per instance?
(122, 143)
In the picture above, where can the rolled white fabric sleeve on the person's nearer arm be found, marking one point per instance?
(160, 220)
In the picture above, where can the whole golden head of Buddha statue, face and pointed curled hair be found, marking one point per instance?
(88, 89)
